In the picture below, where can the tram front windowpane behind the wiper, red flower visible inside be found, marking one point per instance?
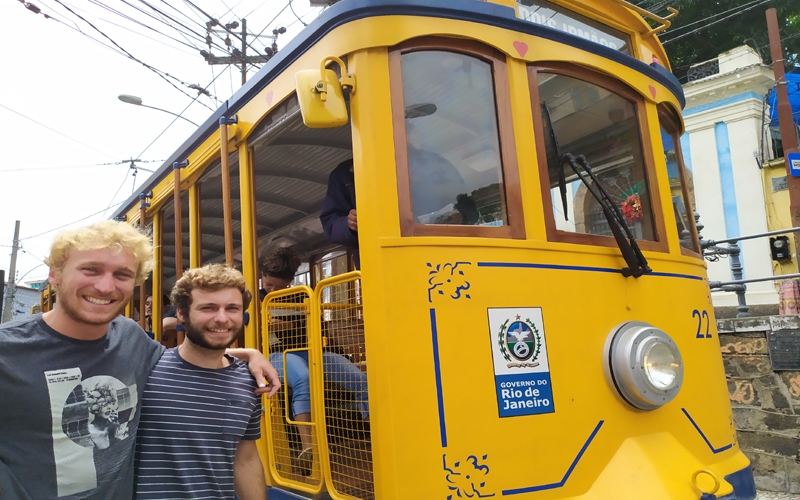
(584, 118)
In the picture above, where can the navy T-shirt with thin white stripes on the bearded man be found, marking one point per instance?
(192, 421)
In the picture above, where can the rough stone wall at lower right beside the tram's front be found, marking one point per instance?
(766, 404)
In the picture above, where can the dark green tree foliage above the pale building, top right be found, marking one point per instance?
(706, 28)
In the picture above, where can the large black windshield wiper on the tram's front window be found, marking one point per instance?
(637, 263)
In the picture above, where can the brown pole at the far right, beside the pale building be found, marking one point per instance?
(787, 127)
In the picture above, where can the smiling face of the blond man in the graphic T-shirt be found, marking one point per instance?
(93, 288)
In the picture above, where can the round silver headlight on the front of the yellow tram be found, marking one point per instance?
(643, 365)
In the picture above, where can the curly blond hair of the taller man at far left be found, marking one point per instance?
(117, 236)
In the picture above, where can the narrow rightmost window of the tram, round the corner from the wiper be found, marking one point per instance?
(680, 181)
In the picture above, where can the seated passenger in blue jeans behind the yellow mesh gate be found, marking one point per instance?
(288, 330)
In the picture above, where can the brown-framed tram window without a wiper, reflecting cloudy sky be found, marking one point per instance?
(456, 167)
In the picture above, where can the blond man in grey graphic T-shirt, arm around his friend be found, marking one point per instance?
(72, 379)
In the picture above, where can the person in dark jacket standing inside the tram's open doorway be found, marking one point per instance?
(338, 214)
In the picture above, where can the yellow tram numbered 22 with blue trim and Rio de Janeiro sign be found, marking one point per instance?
(532, 308)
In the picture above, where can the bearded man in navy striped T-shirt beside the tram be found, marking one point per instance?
(200, 417)
